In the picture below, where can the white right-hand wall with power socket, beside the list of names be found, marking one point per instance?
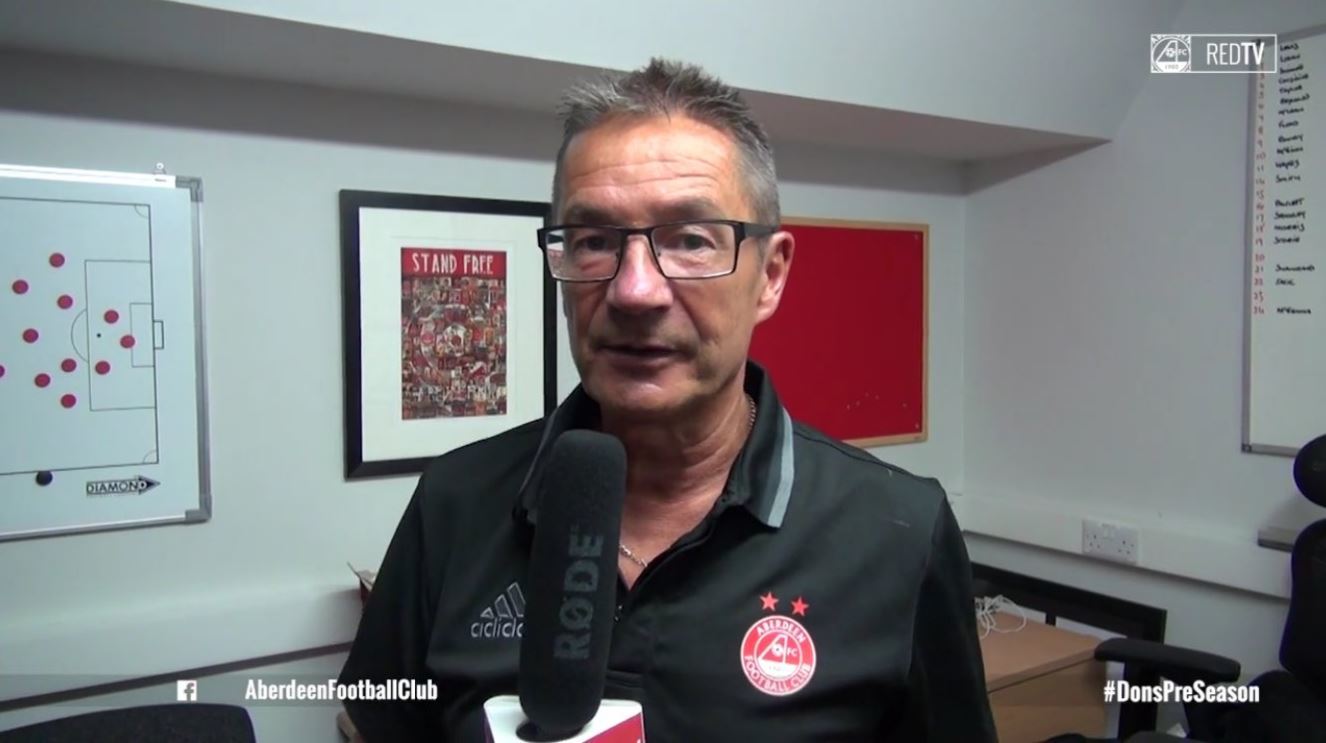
(1104, 360)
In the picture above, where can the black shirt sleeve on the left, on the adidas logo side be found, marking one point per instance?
(393, 640)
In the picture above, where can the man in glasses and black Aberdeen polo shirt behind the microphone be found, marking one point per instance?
(775, 584)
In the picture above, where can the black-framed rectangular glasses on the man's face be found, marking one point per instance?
(695, 249)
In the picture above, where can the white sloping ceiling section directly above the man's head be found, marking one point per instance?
(860, 52)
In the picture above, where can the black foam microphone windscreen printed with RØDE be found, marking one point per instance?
(572, 583)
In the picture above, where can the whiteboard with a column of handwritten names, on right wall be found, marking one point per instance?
(1286, 367)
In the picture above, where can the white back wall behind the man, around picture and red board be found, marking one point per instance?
(267, 575)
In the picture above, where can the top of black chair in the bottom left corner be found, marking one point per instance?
(166, 724)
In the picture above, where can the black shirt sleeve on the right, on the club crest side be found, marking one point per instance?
(947, 699)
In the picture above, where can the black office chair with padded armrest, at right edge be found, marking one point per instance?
(1294, 699)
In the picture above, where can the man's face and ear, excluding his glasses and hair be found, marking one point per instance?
(646, 346)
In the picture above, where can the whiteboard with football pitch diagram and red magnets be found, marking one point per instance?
(101, 354)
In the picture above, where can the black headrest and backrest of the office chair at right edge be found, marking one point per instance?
(1303, 648)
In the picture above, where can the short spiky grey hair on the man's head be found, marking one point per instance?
(668, 88)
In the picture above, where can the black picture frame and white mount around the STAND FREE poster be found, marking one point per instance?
(373, 226)
